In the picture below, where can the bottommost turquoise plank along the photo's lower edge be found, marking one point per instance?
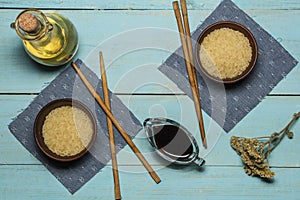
(178, 183)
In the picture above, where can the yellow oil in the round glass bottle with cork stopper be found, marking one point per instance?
(55, 46)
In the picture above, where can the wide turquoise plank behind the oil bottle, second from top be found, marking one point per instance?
(19, 67)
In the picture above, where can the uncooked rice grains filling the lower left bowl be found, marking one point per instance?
(67, 130)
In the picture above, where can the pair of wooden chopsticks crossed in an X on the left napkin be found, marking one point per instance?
(111, 120)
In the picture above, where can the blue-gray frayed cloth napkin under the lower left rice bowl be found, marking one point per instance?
(68, 85)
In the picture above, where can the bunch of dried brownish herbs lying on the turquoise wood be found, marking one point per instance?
(255, 151)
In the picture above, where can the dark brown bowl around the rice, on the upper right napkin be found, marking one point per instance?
(237, 27)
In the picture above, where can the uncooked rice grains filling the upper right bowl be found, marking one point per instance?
(225, 53)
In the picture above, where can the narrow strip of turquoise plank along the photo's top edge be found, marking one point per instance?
(143, 4)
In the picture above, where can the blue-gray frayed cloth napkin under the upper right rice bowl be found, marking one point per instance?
(228, 105)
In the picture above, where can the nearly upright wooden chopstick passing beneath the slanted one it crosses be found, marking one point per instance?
(110, 131)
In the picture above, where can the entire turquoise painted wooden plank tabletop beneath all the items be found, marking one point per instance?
(22, 176)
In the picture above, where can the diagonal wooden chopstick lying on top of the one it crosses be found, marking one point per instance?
(117, 125)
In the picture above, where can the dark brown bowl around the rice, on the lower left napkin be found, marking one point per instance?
(39, 122)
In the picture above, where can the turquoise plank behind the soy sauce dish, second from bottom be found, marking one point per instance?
(179, 108)
